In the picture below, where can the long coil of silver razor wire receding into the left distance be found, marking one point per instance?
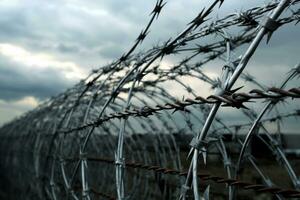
(127, 132)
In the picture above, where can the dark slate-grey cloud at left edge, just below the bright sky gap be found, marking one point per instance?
(16, 82)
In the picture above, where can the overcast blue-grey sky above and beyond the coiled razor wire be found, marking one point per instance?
(48, 45)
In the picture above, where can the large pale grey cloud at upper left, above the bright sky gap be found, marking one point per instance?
(62, 30)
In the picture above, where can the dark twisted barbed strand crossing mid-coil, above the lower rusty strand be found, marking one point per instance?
(235, 100)
